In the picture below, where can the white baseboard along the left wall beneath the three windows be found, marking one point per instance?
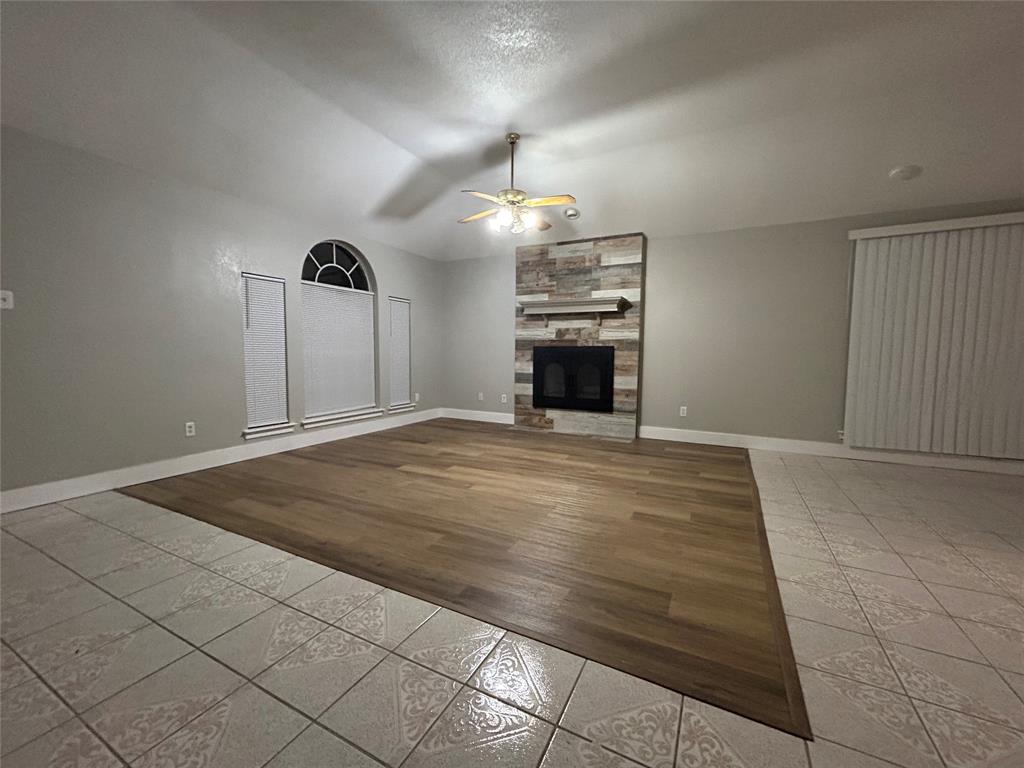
(48, 493)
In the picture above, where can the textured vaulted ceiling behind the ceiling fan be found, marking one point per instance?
(667, 118)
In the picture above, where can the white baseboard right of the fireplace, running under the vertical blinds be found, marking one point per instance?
(835, 450)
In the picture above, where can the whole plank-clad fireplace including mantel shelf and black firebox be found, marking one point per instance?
(573, 295)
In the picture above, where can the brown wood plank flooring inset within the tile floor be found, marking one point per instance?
(648, 557)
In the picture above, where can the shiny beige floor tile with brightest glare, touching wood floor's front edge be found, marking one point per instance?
(529, 675)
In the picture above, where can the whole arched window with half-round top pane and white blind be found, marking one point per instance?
(339, 335)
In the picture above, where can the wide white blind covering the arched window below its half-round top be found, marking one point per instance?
(338, 335)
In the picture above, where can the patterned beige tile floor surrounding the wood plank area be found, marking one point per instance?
(133, 635)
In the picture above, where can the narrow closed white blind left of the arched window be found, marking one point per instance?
(267, 364)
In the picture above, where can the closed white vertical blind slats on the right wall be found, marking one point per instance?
(936, 359)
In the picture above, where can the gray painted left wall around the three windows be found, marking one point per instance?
(127, 317)
